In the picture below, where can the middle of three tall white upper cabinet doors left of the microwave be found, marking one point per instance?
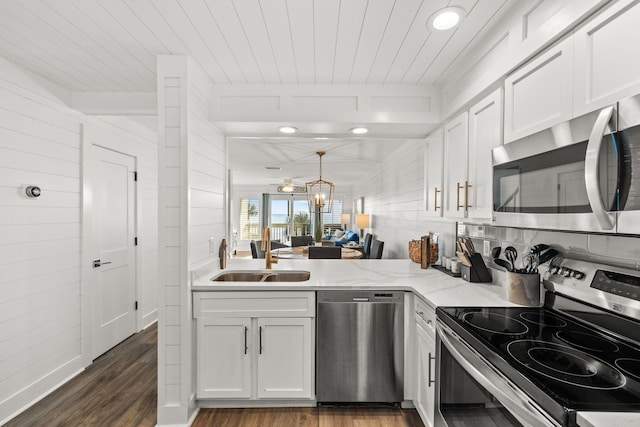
(456, 136)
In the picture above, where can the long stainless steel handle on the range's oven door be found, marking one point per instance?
(514, 399)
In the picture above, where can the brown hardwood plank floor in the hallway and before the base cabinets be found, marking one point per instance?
(119, 389)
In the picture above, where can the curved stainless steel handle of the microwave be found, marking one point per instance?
(591, 162)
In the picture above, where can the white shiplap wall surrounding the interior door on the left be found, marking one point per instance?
(40, 239)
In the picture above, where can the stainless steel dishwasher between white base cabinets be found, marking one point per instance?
(360, 347)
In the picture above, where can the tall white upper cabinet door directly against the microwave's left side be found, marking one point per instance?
(485, 133)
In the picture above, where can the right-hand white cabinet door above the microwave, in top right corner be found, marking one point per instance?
(606, 68)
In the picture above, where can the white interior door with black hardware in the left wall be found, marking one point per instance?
(113, 194)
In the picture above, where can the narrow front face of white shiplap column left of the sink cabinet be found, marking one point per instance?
(175, 389)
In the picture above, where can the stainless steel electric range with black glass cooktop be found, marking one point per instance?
(543, 366)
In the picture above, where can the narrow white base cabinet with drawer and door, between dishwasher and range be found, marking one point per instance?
(425, 362)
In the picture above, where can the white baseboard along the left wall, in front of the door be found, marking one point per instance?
(36, 391)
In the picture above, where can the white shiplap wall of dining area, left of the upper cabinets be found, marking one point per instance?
(394, 196)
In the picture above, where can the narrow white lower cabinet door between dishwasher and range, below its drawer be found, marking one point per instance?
(425, 375)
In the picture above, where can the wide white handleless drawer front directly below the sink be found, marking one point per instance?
(254, 304)
